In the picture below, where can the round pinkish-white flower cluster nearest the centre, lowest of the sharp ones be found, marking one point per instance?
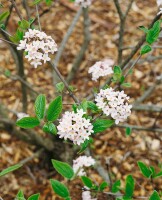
(75, 127)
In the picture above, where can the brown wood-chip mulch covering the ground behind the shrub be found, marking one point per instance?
(124, 151)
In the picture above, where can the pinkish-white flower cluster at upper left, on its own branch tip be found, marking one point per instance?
(38, 46)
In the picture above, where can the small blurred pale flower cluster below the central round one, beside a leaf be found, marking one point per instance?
(80, 162)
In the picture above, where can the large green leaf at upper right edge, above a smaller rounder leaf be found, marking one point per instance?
(153, 33)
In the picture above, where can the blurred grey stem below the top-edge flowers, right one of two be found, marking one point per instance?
(84, 47)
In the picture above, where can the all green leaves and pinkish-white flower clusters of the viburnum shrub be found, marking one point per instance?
(85, 118)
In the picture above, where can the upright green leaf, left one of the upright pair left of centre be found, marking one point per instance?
(40, 104)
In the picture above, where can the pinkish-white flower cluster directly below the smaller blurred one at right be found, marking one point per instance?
(114, 103)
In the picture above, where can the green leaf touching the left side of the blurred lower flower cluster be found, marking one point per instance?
(63, 168)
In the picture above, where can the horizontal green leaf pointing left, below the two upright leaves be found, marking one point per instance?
(28, 122)
